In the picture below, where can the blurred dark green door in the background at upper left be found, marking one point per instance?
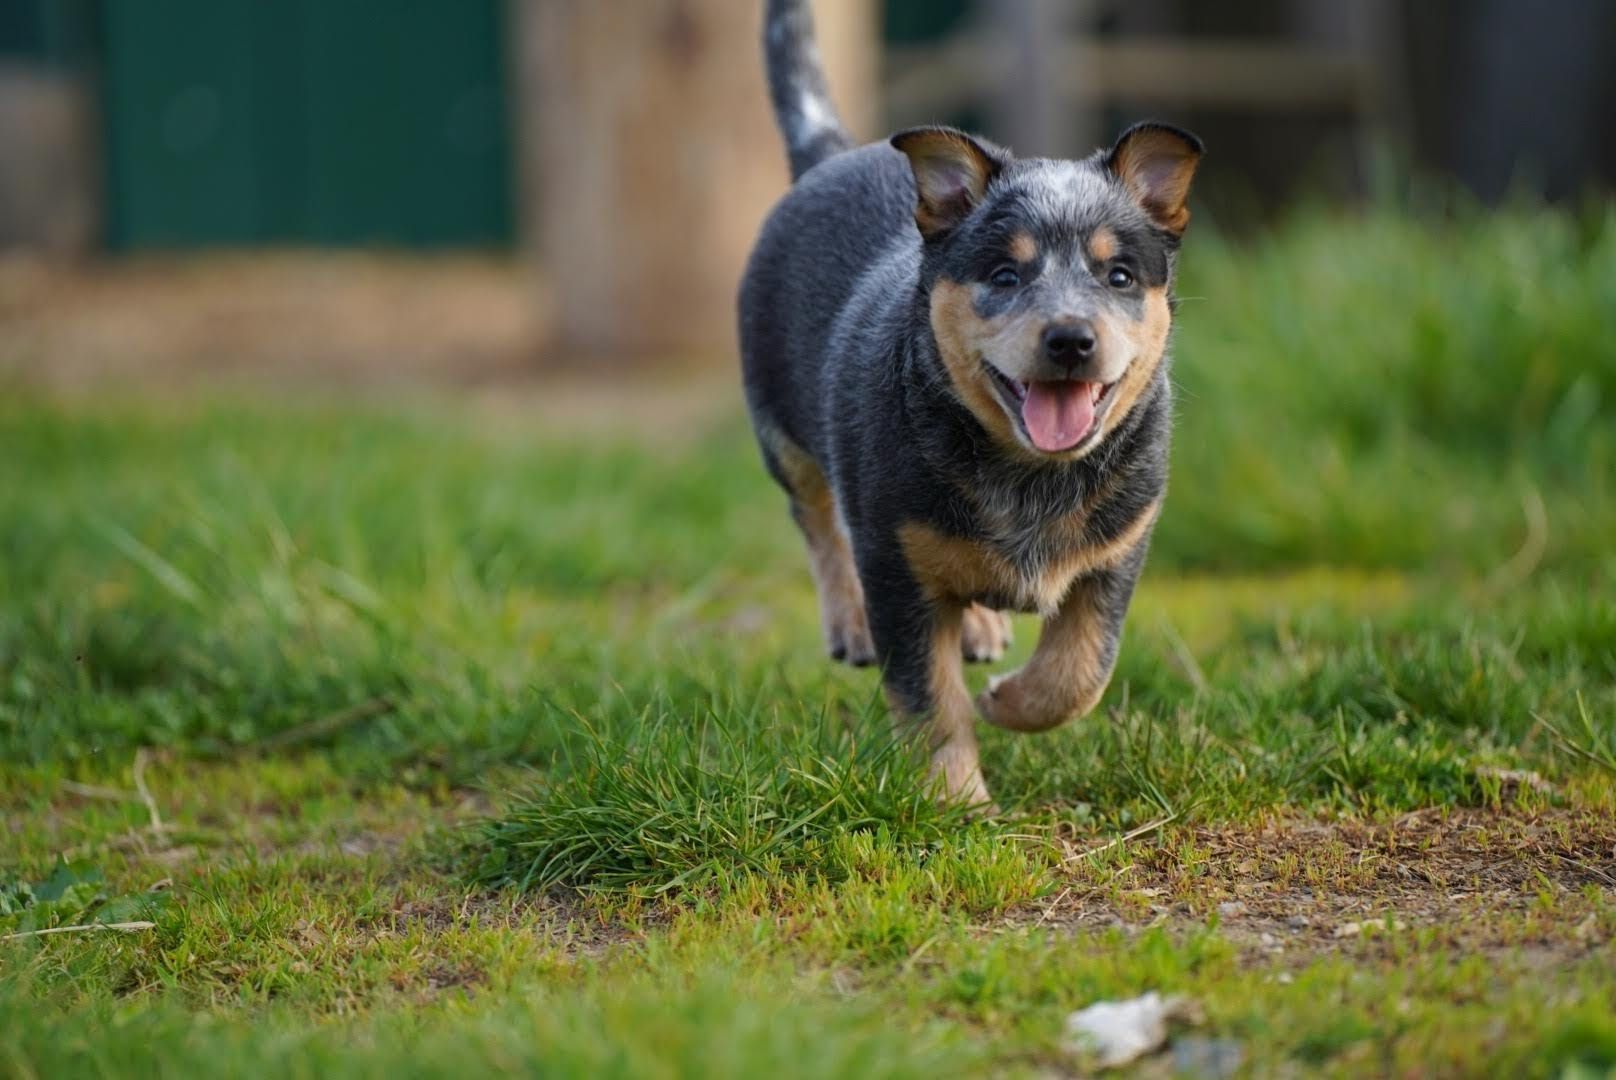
(306, 122)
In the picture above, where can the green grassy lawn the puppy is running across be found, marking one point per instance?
(416, 740)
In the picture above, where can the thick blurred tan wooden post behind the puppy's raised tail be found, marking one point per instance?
(650, 158)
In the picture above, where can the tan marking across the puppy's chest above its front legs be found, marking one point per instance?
(957, 570)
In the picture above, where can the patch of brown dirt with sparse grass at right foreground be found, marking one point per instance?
(1468, 879)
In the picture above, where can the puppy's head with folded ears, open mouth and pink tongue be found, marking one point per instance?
(1050, 281)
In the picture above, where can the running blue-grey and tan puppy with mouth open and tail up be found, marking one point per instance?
(956, 363)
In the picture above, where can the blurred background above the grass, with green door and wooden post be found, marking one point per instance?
(484, 190)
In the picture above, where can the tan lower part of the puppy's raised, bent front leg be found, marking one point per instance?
(1064, 678)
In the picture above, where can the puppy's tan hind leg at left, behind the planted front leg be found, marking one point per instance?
(830, 555)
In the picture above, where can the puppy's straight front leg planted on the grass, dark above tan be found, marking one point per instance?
(922, 667)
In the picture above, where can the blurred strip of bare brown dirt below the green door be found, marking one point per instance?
(327, 318)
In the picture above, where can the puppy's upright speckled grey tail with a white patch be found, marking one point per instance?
(802, 101)
